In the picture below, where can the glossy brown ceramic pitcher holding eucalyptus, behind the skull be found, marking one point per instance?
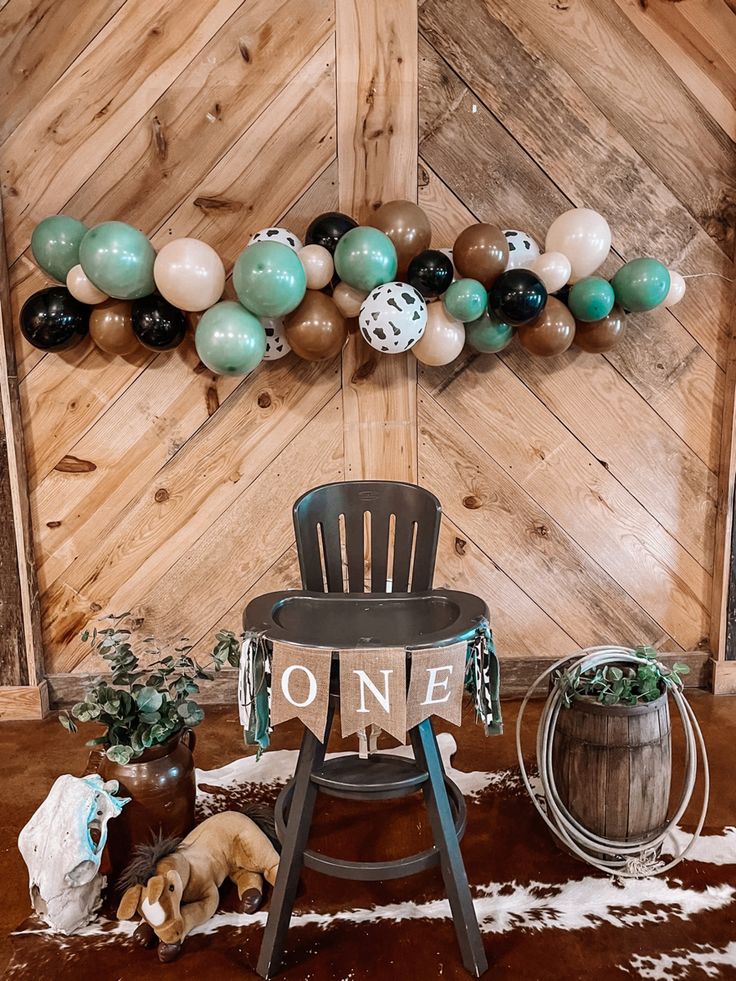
(162, 786)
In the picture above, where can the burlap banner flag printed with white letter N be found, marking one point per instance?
(373, 690)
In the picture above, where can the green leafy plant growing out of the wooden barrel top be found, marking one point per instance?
(624, 683)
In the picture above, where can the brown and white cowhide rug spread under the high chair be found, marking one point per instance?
(543, 915)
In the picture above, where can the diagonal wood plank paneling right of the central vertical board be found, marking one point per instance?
(590, 482)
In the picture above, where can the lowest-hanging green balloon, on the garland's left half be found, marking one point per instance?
(229, 339)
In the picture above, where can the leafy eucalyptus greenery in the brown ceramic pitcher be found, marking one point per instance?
(144, 706)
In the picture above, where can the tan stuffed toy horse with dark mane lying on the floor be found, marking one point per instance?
(173, 884)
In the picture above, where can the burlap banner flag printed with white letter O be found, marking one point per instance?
(300, 685)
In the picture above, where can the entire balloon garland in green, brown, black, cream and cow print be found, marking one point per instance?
(297, 296)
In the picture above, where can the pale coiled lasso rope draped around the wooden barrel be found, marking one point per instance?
(630, 859)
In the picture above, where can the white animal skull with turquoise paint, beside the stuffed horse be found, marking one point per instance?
(62, 846)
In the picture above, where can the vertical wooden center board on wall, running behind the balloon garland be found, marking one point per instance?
(377, 153)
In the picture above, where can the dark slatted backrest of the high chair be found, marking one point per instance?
(402, 522)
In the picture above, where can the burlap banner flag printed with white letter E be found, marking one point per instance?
(436, 684)
